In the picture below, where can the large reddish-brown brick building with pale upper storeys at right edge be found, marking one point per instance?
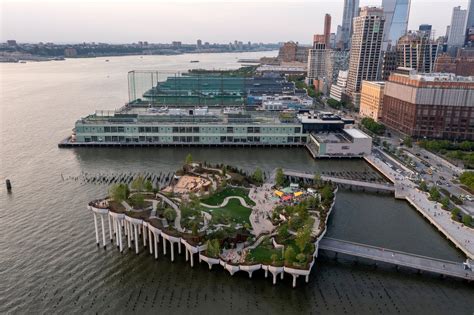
(436, 106)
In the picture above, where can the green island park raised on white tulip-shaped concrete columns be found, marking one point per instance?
(222, 216)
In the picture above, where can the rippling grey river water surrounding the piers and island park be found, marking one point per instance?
(49, 262)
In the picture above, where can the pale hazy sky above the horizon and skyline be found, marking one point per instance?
(163, 21)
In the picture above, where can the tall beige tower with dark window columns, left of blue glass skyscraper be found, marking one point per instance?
(365, 50)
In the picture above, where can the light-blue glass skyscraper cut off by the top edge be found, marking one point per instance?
(396, 14)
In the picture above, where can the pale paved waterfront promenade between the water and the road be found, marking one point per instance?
(461, 236)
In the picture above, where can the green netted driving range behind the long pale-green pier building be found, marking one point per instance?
(196, 89)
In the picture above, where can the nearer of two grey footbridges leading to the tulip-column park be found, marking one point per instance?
(422, 263)
